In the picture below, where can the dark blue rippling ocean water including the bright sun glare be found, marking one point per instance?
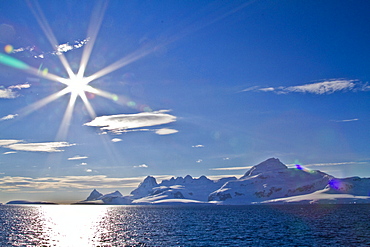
(98, 225)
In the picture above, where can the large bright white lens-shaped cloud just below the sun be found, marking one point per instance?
(127, 122)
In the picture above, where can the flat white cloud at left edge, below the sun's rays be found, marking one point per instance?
(20, 145)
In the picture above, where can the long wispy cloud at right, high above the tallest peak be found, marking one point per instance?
(323, 87)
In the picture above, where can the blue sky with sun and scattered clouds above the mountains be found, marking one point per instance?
(172, 88)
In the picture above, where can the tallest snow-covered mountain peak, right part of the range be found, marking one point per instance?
(267, 180)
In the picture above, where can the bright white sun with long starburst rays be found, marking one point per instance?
(77, 84)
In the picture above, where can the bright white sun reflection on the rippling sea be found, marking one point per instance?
(73, 225)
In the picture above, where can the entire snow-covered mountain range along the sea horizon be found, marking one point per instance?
(268, 182)
